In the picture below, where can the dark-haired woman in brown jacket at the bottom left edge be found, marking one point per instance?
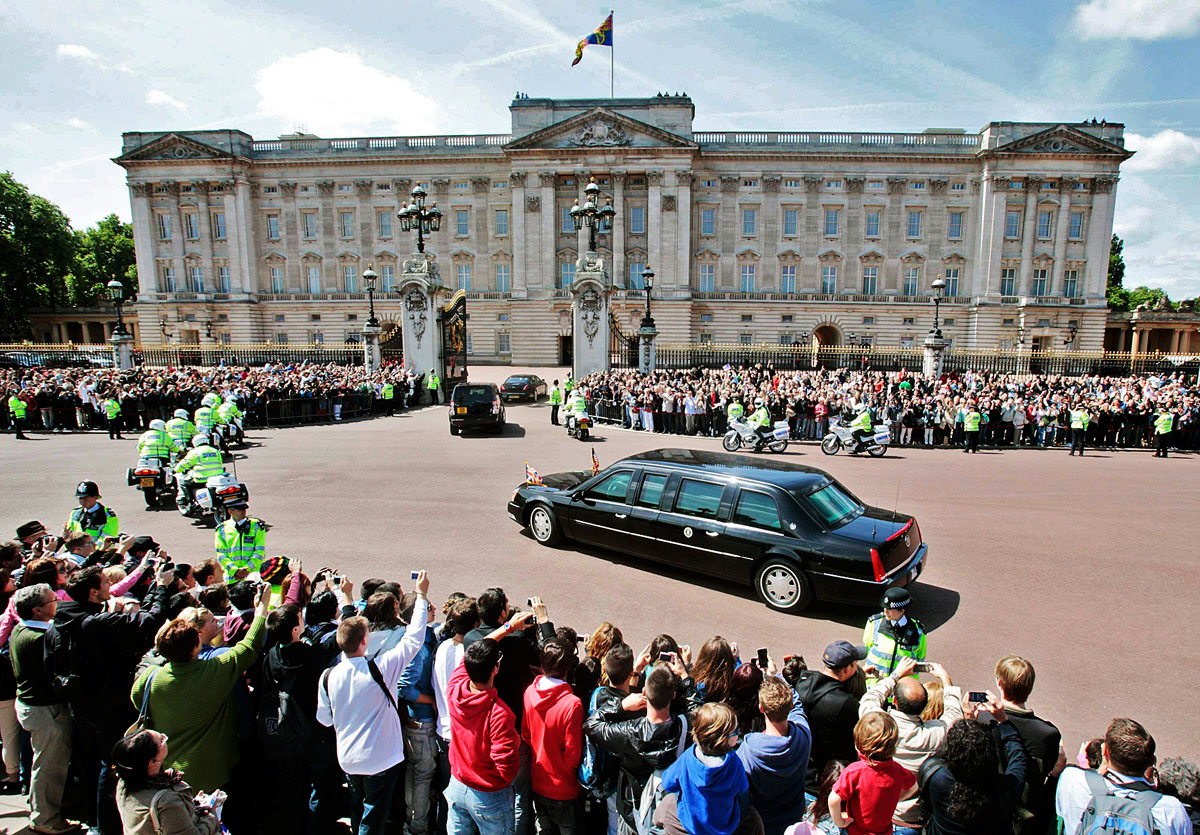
(154, 800)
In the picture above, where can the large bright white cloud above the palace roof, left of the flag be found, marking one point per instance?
(334, 93)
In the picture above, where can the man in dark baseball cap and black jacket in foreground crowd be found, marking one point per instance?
(832, 710)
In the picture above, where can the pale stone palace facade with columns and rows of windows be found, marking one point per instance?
(754, 237)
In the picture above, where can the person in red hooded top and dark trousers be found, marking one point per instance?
(554, 730)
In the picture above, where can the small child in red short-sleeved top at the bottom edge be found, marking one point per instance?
(865, 798)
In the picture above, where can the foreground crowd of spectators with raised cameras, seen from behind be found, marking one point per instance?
(146, 695)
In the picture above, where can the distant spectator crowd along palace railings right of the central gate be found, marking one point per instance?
(1017, 410)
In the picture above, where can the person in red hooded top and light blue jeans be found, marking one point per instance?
(484, 747)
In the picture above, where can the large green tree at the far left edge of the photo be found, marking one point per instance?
(37, 255)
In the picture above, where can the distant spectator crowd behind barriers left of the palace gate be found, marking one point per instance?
(65, 400)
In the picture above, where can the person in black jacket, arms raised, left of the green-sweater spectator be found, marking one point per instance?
(92, 656)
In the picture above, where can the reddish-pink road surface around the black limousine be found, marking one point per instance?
(1087, 567)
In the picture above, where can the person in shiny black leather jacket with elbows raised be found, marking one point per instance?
(645, 744)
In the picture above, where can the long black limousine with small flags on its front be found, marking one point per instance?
(793, 532)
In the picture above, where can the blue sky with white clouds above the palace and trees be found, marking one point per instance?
(79, 75)
